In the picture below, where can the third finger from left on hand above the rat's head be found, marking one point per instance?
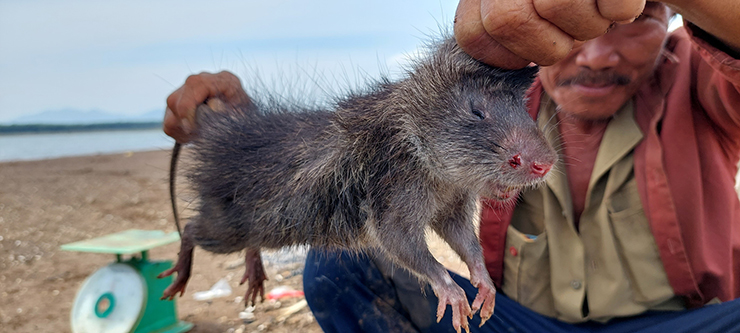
(580, 19)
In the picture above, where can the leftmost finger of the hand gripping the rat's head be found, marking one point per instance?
(475, 40)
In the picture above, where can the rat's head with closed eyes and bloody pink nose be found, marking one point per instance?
(476, 125)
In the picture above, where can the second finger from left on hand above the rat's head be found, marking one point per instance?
(516, 25)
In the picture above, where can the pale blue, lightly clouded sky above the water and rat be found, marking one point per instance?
(125, 57)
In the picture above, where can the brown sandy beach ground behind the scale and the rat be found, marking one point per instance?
(47, 203)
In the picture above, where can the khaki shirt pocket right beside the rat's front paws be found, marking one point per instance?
(527, 271)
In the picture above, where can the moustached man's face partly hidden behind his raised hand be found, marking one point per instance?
(600, 75)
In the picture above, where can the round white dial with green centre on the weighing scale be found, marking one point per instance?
(110, 301)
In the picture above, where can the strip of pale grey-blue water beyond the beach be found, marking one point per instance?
(23, 147)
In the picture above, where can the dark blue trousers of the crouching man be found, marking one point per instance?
(355, 293)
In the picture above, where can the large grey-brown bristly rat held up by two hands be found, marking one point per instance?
(373, 173)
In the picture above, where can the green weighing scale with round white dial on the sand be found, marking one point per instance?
(123, 297)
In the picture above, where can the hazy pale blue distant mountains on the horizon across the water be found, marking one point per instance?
(74, 116)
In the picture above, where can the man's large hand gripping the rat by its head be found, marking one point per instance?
(513, 33)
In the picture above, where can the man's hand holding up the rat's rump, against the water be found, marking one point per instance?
(179, 118)
